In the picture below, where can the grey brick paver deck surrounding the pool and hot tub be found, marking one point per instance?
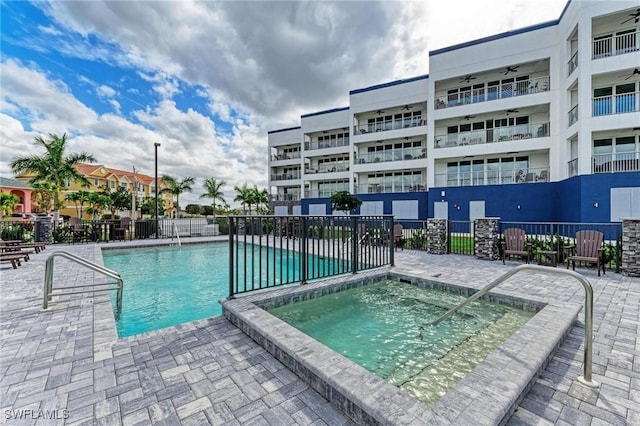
(208, 372)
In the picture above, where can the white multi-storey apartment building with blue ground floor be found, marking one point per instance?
(536, 124)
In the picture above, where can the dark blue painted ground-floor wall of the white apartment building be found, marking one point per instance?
(571, 200)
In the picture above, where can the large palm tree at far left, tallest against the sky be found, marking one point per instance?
(53, 167)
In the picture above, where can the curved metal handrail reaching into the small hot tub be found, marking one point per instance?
(588, 312)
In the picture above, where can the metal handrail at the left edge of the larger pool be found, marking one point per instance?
(48, 280)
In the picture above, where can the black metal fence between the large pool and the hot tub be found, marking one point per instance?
(271, 251)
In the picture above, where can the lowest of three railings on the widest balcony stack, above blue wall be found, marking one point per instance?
(493, 177)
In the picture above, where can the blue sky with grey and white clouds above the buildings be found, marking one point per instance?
(208, 79)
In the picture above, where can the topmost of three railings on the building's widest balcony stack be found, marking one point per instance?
(490, 93)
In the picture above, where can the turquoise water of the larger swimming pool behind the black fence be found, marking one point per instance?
(166, 286)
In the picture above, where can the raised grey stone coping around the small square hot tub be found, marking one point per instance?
(487, 395)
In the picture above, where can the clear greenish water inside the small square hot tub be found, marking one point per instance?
(381, 327)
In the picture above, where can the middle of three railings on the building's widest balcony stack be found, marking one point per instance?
(498, 134)
